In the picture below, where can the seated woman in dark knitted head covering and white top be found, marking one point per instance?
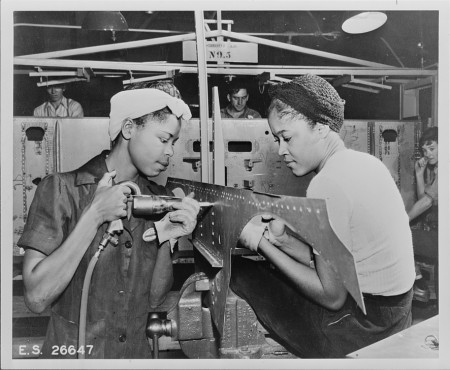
(302, 301)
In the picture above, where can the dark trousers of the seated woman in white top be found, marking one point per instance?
(307, 329)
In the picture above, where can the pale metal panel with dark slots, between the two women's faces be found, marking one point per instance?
(260, 169)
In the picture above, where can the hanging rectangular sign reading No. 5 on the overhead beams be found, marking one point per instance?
(226, 51)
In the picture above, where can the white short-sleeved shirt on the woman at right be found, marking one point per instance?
(368, 215)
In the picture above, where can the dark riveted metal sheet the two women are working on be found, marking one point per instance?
(219, 228)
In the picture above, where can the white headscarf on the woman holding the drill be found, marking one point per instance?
(137, 103)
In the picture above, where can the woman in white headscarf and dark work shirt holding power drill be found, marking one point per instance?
(69, 215)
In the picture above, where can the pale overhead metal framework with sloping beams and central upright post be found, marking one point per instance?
(363, 69)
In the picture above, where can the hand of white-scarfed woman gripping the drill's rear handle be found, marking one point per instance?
(110, 202)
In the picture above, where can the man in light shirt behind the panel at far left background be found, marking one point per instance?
(57, 105)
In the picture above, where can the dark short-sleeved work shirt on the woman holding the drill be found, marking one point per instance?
(123, 289)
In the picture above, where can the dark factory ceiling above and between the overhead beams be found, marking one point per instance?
(408, 39)
